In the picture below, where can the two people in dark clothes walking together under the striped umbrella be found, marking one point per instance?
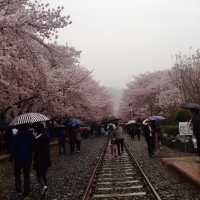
(30, 145)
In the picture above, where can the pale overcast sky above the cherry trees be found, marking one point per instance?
(121, 38)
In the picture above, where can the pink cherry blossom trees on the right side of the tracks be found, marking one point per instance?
(150, 94)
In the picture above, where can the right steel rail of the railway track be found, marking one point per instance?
(149, 184)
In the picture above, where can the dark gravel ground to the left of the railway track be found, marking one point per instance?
(67, 177)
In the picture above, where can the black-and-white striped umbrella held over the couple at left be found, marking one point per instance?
(29, 118)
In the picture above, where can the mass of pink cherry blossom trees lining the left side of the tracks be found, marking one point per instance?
(38, 76)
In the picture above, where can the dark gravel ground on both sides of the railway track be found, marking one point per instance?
(69, 175)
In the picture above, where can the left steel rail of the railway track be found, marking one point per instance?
(89, 190)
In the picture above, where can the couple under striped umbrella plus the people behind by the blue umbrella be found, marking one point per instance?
(29, 147)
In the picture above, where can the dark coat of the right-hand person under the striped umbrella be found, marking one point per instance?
(41, 159)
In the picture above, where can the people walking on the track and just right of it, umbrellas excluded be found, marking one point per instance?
(149, 129)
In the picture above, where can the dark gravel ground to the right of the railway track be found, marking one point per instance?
(170, 184)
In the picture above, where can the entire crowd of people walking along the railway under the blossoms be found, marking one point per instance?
(29, 145)
